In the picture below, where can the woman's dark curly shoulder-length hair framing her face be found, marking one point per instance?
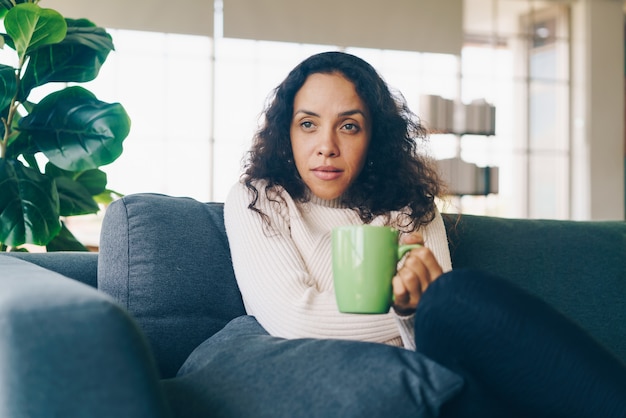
(396, 175)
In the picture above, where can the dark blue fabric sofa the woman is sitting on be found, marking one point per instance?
(104, 335)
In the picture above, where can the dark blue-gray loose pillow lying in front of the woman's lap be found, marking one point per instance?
(242, 372)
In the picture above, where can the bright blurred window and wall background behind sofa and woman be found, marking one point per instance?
(194, 76)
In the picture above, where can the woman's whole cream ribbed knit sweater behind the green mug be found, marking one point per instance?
(285, 273)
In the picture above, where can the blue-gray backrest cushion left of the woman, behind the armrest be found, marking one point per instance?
(167, 260)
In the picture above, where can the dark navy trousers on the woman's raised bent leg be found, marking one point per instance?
(519, 357)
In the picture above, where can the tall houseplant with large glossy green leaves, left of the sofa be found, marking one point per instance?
(51, 151)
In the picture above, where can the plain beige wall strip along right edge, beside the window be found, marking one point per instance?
(597, 110)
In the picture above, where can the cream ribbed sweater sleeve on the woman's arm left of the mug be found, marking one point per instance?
(275, 282)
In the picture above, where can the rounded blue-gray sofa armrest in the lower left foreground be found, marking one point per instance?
(68, 350)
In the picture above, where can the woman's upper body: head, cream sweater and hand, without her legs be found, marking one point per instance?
(328, 156)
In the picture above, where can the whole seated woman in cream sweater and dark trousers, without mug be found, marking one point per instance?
(338, 148)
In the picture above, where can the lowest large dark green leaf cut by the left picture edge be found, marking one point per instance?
(29, 205)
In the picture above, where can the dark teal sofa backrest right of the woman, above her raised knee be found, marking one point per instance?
(578, 267)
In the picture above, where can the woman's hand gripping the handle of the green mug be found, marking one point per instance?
(419, 270)
